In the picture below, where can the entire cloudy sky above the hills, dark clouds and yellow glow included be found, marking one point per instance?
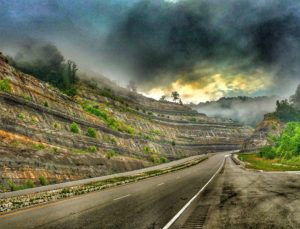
(204, 49)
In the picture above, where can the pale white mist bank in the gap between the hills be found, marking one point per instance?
(243, 109)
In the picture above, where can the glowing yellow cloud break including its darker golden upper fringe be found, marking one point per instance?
(214, 85)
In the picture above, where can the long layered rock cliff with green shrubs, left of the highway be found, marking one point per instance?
(129, 131)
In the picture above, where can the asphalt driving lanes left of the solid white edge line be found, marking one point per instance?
(149, 203)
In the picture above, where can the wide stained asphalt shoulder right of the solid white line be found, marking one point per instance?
(240, 198)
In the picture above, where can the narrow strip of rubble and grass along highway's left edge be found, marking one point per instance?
(13, 202)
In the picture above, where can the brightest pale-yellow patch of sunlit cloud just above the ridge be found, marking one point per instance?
(216, 87)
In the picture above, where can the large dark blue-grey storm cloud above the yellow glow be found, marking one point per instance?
(159, 37)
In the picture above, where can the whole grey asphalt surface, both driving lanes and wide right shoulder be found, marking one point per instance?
(236, 198)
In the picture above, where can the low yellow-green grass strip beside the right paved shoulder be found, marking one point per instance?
(254, 161)
